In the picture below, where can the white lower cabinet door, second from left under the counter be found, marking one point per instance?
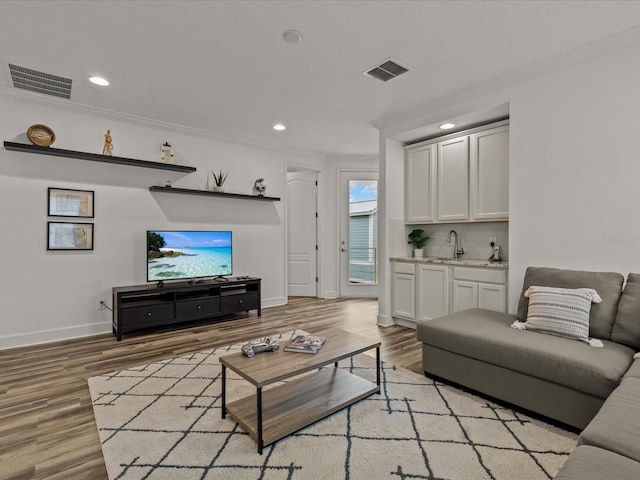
(432, 291)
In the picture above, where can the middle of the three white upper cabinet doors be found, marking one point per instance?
(453, 180)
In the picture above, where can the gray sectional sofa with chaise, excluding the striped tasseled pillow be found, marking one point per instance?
(596, 390)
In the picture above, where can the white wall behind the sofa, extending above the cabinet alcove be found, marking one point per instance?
(574, 173)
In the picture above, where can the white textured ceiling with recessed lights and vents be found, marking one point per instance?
(223, 67)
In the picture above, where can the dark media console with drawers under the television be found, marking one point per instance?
(139, 307)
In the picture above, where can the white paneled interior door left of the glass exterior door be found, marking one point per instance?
(302, 234)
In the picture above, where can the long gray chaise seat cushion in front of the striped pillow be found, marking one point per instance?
(487, 336)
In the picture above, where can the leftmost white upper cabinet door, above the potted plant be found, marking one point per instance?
(420, 182)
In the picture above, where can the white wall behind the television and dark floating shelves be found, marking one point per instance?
(46, 295)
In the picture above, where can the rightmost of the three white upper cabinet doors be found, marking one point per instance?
(489, 186)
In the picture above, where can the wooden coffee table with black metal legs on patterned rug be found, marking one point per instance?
(281, 410)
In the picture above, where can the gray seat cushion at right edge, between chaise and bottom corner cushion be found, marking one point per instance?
(617, 424)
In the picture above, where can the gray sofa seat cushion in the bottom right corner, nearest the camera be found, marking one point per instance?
(592, 463)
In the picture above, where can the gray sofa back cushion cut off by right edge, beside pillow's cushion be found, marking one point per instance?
(626, 329)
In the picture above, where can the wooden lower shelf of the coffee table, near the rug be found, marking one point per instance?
(288, 407)
